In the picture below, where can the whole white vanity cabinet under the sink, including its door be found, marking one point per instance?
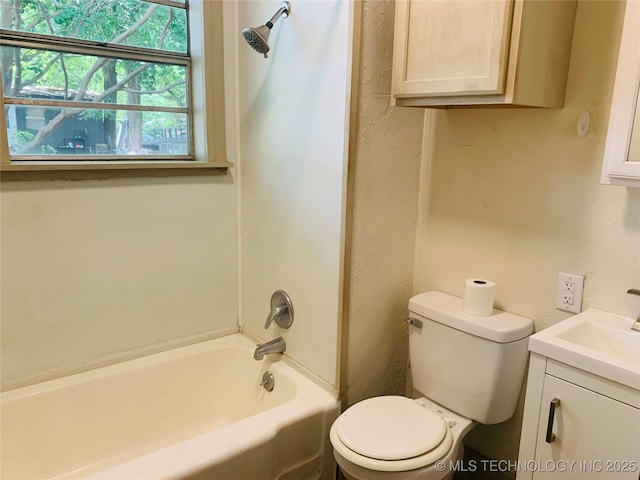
(578, 425)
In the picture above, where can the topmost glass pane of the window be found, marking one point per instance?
(129, 22)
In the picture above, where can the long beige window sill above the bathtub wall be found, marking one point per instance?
(93, 170)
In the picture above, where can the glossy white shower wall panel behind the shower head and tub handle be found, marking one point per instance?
(292, 128)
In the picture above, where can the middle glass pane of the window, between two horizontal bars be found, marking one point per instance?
(49, 75)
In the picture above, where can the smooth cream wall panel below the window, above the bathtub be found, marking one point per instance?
(97, 269)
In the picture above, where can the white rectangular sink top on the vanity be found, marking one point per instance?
(594, 341)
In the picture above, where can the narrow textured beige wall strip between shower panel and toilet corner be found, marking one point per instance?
(385, 172)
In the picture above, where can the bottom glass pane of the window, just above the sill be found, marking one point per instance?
(36, 130)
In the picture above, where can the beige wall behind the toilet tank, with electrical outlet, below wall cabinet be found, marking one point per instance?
(515, 197)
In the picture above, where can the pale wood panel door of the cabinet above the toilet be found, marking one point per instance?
(451, 47)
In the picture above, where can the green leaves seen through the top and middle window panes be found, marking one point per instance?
(103, 20)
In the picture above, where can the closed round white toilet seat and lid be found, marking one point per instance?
(391, 434)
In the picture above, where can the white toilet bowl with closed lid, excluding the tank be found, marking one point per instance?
(397, 438)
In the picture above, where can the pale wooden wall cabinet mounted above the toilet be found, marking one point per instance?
(481, 52)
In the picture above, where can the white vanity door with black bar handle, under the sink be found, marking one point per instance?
(600, 434)
